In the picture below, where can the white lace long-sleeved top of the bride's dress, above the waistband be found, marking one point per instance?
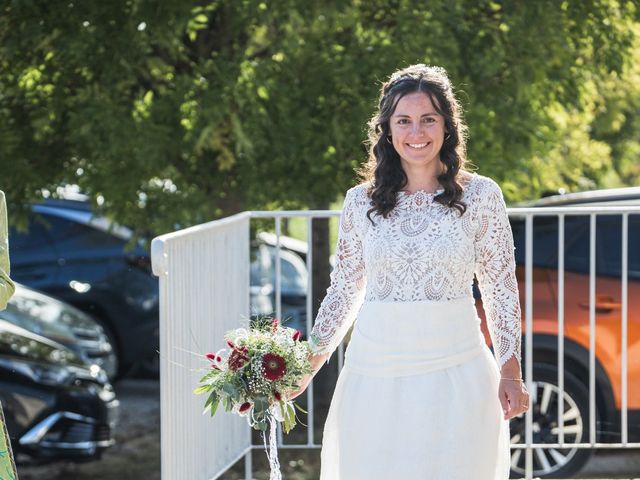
(424, 251)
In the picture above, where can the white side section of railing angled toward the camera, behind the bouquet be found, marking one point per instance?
(204, 291)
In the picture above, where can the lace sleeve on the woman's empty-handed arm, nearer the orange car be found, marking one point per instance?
(495, 270)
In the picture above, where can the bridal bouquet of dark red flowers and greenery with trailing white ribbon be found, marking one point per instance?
(253, 376)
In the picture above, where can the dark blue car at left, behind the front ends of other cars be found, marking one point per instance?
(82, 259)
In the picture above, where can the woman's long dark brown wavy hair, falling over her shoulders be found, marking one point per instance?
(383, 169)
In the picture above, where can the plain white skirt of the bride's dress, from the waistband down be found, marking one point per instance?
(417, 398)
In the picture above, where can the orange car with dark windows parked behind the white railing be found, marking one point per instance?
(555, 462)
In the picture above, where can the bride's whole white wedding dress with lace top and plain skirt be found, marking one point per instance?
(417, 397)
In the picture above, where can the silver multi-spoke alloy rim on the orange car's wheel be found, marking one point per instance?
(544, 399)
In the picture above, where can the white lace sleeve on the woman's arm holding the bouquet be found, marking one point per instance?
(346, 290)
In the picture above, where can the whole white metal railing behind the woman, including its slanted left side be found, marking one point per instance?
(198, 262)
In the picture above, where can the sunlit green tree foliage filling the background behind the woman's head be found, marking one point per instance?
(173, 113)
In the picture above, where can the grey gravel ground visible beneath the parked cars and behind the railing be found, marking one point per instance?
(136, 455)
